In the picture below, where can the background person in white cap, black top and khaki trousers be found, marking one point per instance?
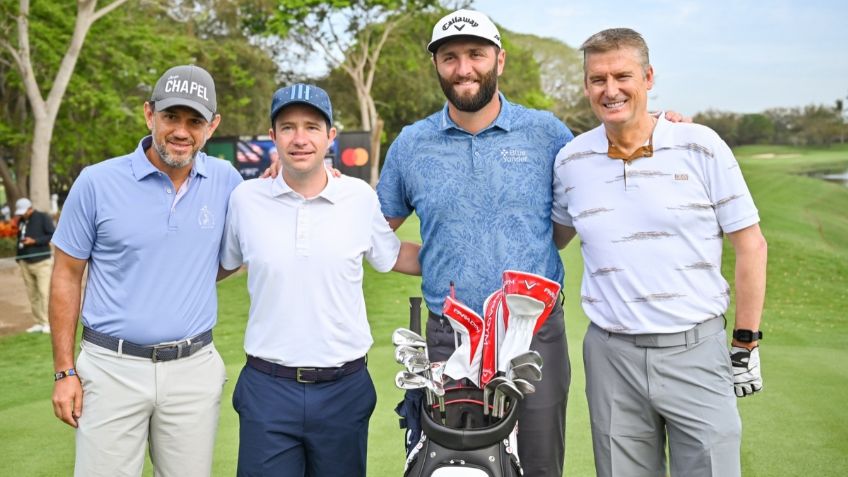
(35, 229)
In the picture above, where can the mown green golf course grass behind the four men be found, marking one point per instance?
(796, 426)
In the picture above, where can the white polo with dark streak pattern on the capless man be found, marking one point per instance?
(652, 229)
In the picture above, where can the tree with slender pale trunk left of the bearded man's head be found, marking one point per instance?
(349, 35)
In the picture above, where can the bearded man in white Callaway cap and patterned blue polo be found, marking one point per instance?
(478, 174)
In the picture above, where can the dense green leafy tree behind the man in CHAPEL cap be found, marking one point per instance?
(101, 113)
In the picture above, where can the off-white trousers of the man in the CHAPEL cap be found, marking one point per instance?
(129, 402)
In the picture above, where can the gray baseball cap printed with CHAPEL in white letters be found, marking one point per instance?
(186, 85)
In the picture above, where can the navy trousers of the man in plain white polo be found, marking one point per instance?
(287, 428)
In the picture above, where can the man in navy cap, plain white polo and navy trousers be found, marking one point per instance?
(304, 397)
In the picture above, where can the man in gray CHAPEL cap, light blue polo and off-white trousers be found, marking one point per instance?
(148, 225)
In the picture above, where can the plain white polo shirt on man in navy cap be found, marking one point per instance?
(304, 260)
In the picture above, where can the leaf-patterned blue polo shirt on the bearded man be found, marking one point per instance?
(484, 199)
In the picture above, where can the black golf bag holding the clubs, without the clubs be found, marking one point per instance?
(462, 445)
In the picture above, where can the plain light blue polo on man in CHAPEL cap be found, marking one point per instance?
(152, 267)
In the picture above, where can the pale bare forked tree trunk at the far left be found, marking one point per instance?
(44, 111)
